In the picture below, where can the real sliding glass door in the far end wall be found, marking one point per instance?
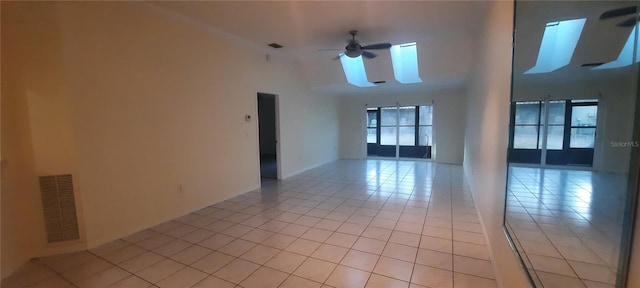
(401, 131)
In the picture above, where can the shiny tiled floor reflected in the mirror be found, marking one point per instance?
(568, 224)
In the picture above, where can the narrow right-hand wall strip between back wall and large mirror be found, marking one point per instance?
(486, 137)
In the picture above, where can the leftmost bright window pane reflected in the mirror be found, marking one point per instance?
(527, 125)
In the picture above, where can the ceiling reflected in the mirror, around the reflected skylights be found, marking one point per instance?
(600, 40)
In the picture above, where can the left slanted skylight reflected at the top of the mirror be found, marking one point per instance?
(558, 43)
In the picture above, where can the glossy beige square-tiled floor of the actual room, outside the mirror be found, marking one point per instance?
(350, 223)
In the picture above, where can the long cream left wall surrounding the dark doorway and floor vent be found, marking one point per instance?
(145, 102)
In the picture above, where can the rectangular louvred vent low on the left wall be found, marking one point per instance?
(58, 201)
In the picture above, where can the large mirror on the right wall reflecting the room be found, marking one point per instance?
(567, 208)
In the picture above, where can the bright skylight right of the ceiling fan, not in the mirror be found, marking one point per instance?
(405, 63)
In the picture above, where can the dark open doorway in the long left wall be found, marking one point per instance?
(268, 140)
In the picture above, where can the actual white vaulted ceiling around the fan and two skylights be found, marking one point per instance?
(445, 33)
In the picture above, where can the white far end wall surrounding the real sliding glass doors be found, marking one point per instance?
(448, 122)
